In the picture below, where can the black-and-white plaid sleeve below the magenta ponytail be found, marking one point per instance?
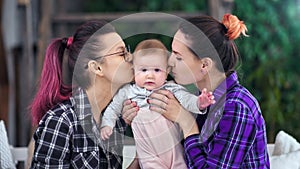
(52, 147)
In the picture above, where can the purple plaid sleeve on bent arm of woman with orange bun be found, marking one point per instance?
(228, 145)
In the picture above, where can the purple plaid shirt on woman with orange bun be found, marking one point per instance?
(233, 134)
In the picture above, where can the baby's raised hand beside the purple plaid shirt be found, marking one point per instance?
(205, 99)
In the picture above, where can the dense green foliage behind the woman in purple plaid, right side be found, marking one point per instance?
(270, 60)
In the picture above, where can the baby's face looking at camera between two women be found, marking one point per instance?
(150, 70)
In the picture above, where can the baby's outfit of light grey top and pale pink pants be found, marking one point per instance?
(157, 139)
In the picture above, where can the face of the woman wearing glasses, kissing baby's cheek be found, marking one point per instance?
(115, 68)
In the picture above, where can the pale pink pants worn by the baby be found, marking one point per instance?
(157, 141)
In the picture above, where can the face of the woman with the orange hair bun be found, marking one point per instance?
(186, 68)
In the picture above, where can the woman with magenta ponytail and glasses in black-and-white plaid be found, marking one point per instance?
(97, 63)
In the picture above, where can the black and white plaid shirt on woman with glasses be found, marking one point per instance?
(68, 137)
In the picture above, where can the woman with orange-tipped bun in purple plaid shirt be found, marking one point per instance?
(232, 134)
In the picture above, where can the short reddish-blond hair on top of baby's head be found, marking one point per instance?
(150, 46)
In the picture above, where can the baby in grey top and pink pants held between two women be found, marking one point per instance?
(157, 139)
